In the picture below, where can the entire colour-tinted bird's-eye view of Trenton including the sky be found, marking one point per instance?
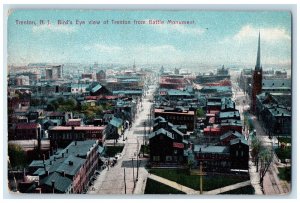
(149, 102)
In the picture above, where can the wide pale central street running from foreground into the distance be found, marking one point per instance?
(111, 180)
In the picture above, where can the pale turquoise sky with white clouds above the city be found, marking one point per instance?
(216, 37)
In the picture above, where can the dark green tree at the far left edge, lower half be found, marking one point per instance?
(17, 156)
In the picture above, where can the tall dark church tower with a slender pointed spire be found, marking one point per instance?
(256, 79)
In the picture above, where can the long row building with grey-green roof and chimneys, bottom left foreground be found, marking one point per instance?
(68, 171)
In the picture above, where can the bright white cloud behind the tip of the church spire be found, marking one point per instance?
(248, 32)
